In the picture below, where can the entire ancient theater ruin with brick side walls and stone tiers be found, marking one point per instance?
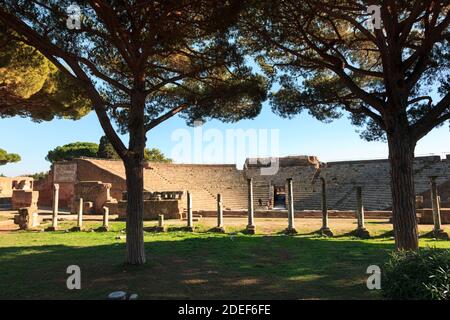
(101, 184)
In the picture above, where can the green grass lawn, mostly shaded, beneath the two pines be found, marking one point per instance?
(199, 265)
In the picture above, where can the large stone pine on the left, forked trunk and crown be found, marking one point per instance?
(140, 63)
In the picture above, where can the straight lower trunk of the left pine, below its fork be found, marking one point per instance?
(135, 206)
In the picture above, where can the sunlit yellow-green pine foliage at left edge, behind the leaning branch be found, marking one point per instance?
(31, 86)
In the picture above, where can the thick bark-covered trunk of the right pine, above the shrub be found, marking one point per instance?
(401, 157)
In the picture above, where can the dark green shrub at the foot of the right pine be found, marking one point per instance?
(417, 275)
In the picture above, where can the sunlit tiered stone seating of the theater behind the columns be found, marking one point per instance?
(206, 181)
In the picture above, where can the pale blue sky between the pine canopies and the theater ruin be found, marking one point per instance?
(302, 135)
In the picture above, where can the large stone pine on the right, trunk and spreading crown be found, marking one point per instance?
(330, 58)
